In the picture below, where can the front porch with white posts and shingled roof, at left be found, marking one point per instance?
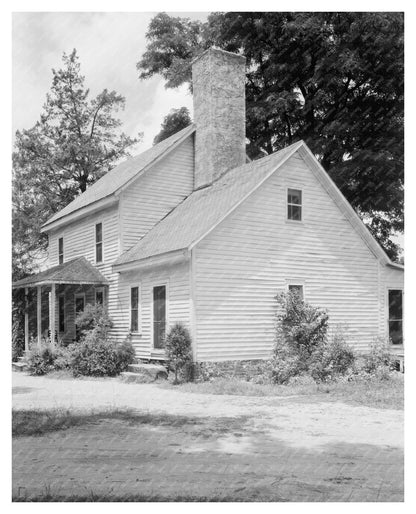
(54, 297)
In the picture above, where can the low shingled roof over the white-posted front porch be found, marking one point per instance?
(77, 271)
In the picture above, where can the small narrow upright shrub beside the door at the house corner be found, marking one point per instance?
(179, 350)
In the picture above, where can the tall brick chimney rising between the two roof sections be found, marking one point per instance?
(218, 79)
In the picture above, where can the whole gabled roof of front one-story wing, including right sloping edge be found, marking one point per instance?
(204, 209)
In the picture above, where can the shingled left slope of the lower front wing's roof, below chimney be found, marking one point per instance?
(205, 208)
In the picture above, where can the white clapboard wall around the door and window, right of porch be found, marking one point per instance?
(177, 279)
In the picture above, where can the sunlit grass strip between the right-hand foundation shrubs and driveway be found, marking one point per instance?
(386, 394)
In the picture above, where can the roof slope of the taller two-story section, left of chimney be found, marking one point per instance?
(119, 176)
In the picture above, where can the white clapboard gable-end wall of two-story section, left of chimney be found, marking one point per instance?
(150, 198)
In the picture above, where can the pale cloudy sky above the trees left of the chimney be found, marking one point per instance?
(109, 46)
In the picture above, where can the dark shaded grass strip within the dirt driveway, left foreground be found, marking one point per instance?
(36, 422)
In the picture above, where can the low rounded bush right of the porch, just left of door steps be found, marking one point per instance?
(94, 356)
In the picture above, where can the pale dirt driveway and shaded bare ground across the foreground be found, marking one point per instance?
(194, 446)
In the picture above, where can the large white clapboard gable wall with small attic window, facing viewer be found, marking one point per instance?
(256, 252)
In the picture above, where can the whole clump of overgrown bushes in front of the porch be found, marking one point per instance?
(95, 354)
